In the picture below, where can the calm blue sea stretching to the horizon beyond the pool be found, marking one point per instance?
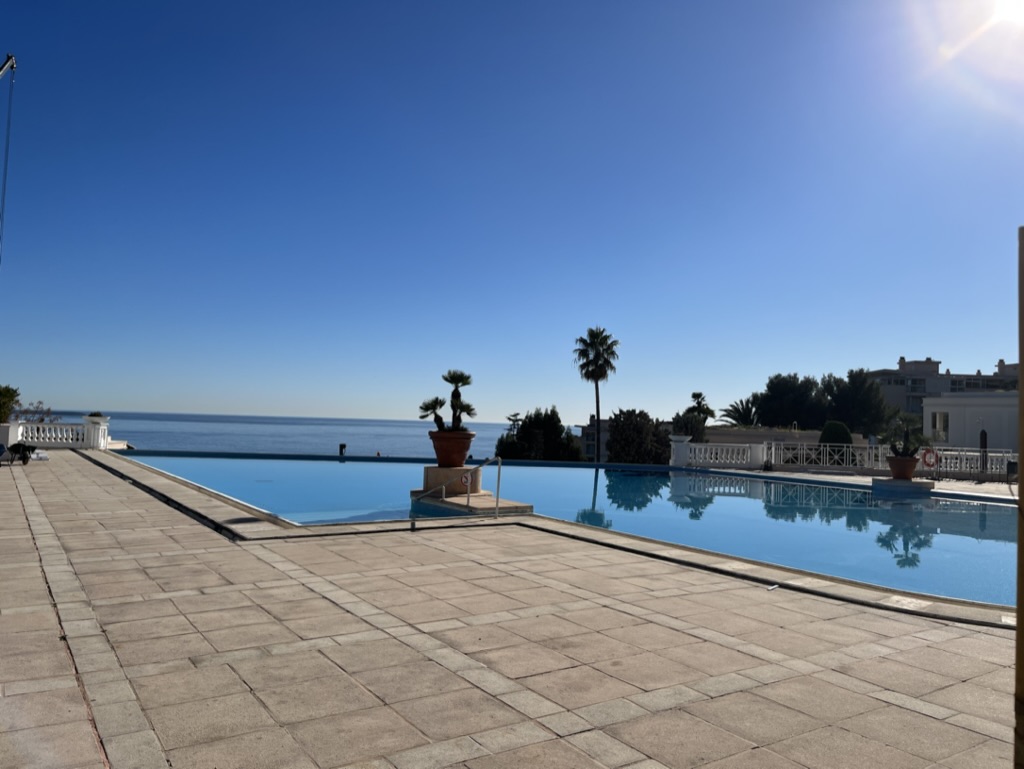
(227, 434)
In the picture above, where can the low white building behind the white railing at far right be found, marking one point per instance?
(957, 419)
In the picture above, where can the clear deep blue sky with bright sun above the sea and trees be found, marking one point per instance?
(318, 208)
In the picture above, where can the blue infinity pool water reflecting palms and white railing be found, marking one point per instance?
(934, 546)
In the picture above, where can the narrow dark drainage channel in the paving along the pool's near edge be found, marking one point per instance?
(236, 536)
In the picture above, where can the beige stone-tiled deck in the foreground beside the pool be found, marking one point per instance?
(135, 636)
